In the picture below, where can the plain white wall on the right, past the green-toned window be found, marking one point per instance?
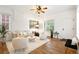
(66, 20)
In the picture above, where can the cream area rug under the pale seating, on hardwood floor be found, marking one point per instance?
(30, 46)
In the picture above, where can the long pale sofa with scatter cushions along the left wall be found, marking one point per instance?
(10, 35)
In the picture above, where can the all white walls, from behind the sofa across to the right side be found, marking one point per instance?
(64, 19)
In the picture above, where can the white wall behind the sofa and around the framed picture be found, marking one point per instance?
(22, 17)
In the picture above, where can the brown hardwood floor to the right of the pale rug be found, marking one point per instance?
(54, 46)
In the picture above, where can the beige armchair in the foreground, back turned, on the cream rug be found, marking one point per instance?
(19, 45)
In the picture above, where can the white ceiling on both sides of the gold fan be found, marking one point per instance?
(51, 8)
